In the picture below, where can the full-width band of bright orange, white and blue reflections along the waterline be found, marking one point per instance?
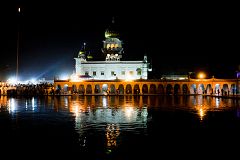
(117, 109)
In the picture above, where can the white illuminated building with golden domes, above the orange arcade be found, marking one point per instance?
(113, 67)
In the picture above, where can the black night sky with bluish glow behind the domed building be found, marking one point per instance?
(177, 37)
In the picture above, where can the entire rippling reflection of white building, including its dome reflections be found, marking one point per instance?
(108, 114)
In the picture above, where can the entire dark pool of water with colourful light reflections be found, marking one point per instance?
(119, 127)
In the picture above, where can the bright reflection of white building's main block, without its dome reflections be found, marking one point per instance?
(116, 110)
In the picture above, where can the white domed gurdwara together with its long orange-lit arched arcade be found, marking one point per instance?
(115, 76)
